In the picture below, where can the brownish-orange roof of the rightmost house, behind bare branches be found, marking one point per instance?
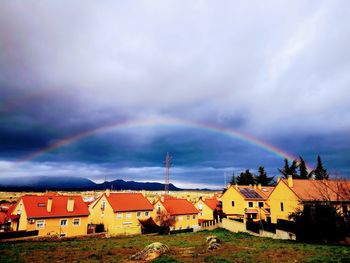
(330, 190)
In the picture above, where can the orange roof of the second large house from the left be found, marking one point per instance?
(128, 202)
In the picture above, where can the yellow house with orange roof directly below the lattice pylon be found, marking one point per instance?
(184, 213)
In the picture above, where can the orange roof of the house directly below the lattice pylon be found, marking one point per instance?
(177, 206)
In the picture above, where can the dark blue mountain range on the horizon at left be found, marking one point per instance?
(42, 183)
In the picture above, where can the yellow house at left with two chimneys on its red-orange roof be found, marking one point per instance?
(51, 214)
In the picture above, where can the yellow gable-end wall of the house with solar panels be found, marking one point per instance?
(240, 204)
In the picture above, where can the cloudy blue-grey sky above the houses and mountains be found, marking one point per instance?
(103, 90)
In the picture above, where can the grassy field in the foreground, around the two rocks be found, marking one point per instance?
(188, 247)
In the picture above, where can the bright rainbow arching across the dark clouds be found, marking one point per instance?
(169, 122)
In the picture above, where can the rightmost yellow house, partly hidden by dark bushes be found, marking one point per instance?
(291, 194)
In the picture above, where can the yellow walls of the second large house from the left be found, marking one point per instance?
(117, 223)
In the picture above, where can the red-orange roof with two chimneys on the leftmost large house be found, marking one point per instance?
(35, 206)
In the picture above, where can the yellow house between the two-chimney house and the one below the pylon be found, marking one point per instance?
(119, 213)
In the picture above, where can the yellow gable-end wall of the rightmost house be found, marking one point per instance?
(282, 194)
